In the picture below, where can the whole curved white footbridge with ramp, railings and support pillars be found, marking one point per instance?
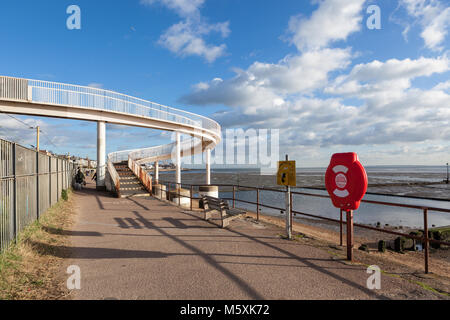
(58, 100)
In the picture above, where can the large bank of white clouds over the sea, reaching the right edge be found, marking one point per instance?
(317, 107)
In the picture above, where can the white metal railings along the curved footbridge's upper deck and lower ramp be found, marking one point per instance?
(47, 92)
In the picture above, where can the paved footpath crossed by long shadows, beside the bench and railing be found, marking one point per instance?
(142, 248)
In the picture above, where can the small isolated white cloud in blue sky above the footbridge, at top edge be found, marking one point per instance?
(187, 38)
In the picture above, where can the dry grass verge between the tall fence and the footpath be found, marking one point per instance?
(30, 269)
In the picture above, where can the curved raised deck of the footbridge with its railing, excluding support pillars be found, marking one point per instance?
(59, 100)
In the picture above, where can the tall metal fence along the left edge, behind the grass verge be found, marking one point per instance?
(30, 183)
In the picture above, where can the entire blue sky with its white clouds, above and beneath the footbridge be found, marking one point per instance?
(309, 68)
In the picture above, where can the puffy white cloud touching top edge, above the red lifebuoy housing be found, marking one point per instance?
(334, 20)
